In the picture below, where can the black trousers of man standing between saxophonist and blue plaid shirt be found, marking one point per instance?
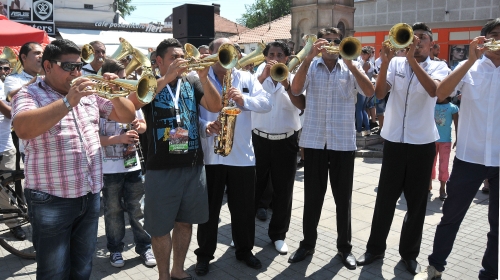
(276, 159)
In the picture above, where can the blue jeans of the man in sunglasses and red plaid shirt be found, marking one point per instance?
(64, 234)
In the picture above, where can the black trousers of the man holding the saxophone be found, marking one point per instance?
(240, 182)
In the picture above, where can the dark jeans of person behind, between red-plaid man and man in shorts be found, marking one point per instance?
(130, 187)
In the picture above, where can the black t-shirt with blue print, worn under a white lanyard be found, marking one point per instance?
(160, 118)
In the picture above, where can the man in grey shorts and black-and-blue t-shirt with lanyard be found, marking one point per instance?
(176, 188)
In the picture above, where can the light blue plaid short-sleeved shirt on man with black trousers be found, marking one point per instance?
(330, 99)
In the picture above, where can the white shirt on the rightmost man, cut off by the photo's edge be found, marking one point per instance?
(478, 139)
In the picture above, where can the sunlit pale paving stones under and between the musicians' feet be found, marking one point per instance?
(463, 263)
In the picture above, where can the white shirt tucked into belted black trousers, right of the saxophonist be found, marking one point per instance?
(284, 116)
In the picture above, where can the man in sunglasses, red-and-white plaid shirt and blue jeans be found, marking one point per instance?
(59, 117)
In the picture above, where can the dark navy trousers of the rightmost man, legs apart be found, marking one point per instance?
(462, 186)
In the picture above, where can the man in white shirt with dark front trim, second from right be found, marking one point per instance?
(410, 132)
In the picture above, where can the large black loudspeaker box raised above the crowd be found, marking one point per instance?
(191, 20)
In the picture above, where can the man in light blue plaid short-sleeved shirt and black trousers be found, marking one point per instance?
(329, 144)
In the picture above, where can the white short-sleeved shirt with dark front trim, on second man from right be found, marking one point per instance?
(409, 116)
